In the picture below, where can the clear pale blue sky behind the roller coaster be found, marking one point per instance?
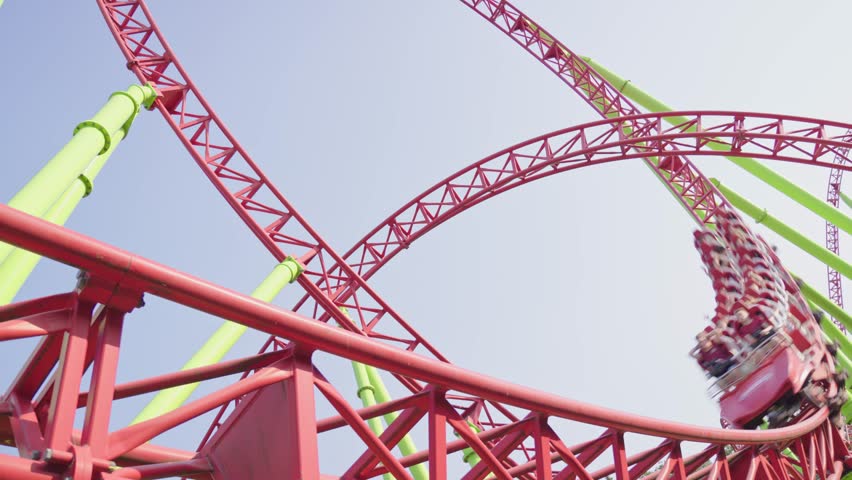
(585, 284)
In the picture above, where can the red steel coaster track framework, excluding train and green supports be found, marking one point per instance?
(82, 329)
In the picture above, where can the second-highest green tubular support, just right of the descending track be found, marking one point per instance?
(761, 216)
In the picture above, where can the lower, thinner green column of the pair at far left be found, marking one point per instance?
(20, 263)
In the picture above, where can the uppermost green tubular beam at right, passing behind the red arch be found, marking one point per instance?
(759, 170)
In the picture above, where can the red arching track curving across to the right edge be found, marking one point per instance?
(751, 135)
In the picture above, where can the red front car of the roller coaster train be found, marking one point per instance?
(776, 379)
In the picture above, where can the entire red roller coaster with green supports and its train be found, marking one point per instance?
(775, 361)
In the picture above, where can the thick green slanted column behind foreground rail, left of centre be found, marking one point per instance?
(220, 342)
